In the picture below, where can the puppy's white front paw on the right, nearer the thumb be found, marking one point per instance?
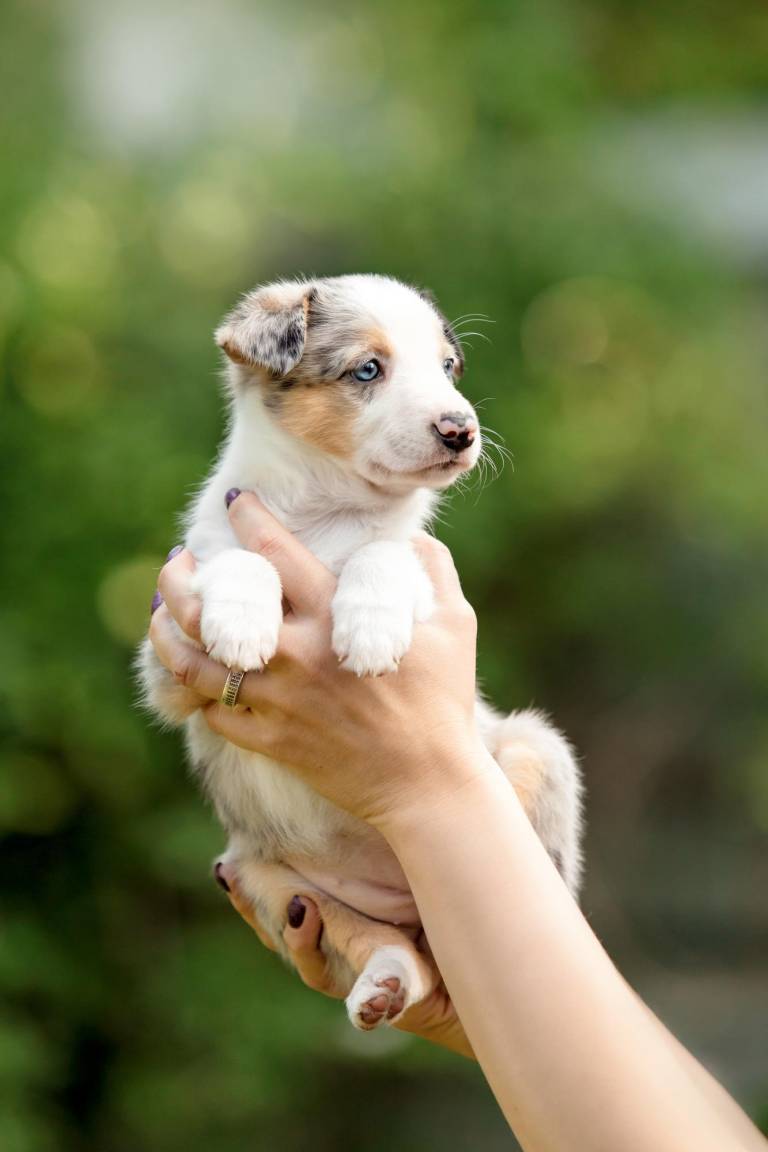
(371, 640)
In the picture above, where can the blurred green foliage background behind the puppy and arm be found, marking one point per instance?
(595, 178)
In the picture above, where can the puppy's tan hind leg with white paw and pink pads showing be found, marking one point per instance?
(376, 966)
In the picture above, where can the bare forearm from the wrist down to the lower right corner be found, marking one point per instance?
(575, 1059)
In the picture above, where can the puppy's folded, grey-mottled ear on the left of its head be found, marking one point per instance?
(269, 328)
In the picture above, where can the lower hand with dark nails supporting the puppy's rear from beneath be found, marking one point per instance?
(434, 1019)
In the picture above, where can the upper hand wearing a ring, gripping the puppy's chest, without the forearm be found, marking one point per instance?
(378, 747)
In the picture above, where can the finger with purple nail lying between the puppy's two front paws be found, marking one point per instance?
(308, 583)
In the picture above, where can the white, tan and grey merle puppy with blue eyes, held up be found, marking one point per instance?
(347, 421)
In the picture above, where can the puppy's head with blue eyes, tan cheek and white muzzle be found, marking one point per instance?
(363, 369)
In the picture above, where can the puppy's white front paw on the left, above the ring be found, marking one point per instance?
(242, 610)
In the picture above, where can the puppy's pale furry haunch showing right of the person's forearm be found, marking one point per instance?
(541, 766)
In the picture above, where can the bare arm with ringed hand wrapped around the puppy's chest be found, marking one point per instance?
(574, 1058)
